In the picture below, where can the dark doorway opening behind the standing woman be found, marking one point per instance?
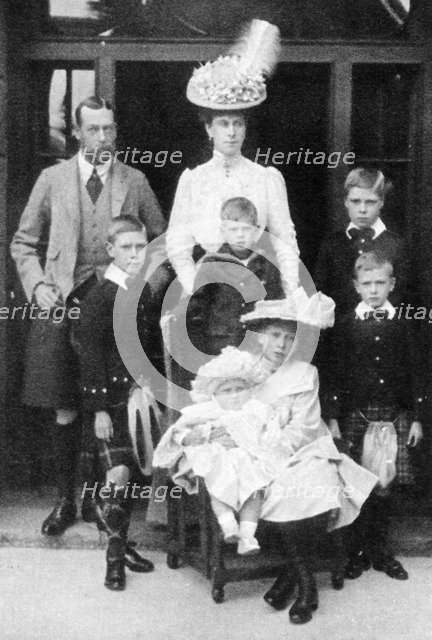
(154, 116)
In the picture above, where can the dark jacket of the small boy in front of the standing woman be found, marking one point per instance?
(213, 314)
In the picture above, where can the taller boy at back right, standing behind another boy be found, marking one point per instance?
(365, 191)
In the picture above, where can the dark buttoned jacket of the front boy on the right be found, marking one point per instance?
(372, 362)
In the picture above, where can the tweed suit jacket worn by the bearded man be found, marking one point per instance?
(53, 212)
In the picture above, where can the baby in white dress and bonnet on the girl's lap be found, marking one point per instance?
(226, 439)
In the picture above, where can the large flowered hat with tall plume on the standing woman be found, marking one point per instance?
(237, 80)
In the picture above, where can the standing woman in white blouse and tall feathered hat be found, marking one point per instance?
(224, 90)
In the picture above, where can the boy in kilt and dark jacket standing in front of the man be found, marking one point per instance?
(112, 401)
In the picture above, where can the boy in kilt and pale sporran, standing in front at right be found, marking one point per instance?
(373, 397)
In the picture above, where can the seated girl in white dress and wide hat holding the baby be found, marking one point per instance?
(319, 488)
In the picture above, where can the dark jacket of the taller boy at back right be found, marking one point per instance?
(336, 260)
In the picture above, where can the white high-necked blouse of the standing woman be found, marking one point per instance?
(195, 217)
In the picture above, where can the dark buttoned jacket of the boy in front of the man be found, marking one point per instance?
(104, 379)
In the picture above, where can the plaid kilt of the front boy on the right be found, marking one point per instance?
(354, 426)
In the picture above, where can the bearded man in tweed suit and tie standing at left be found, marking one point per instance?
(70, 209)
